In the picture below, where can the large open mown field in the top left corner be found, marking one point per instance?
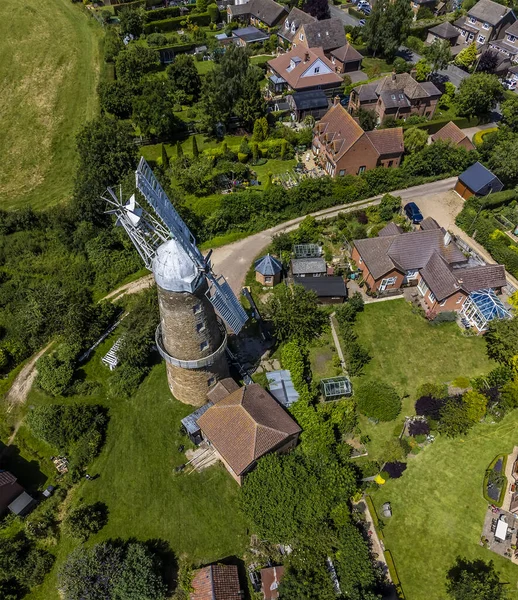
(49, 69)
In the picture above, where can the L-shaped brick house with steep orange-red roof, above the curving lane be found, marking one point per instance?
(343, 148)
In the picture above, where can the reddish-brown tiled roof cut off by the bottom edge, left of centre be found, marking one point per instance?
(216, 582)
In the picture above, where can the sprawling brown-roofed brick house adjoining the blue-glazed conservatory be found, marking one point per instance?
(427, 258)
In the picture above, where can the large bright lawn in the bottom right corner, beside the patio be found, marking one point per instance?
(438, 509)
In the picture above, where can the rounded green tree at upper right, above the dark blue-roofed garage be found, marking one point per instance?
(478, 94)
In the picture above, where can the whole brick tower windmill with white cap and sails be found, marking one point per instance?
(191, 337)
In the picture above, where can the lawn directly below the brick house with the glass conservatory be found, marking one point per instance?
(407, 351)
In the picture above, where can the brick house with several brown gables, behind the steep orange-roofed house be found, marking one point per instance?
(398, 96)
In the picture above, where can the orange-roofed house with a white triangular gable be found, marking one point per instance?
(302, 70)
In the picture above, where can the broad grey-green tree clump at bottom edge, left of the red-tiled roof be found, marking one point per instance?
(112, 571)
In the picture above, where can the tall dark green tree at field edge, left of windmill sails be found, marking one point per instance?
(106, 154)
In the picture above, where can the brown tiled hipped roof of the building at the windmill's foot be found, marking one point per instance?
(245, 425)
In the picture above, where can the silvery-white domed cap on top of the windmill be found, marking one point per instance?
(174, 269)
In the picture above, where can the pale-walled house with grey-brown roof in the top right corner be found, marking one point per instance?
(484, 22)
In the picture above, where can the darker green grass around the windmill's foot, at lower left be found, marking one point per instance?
(197, 514)
